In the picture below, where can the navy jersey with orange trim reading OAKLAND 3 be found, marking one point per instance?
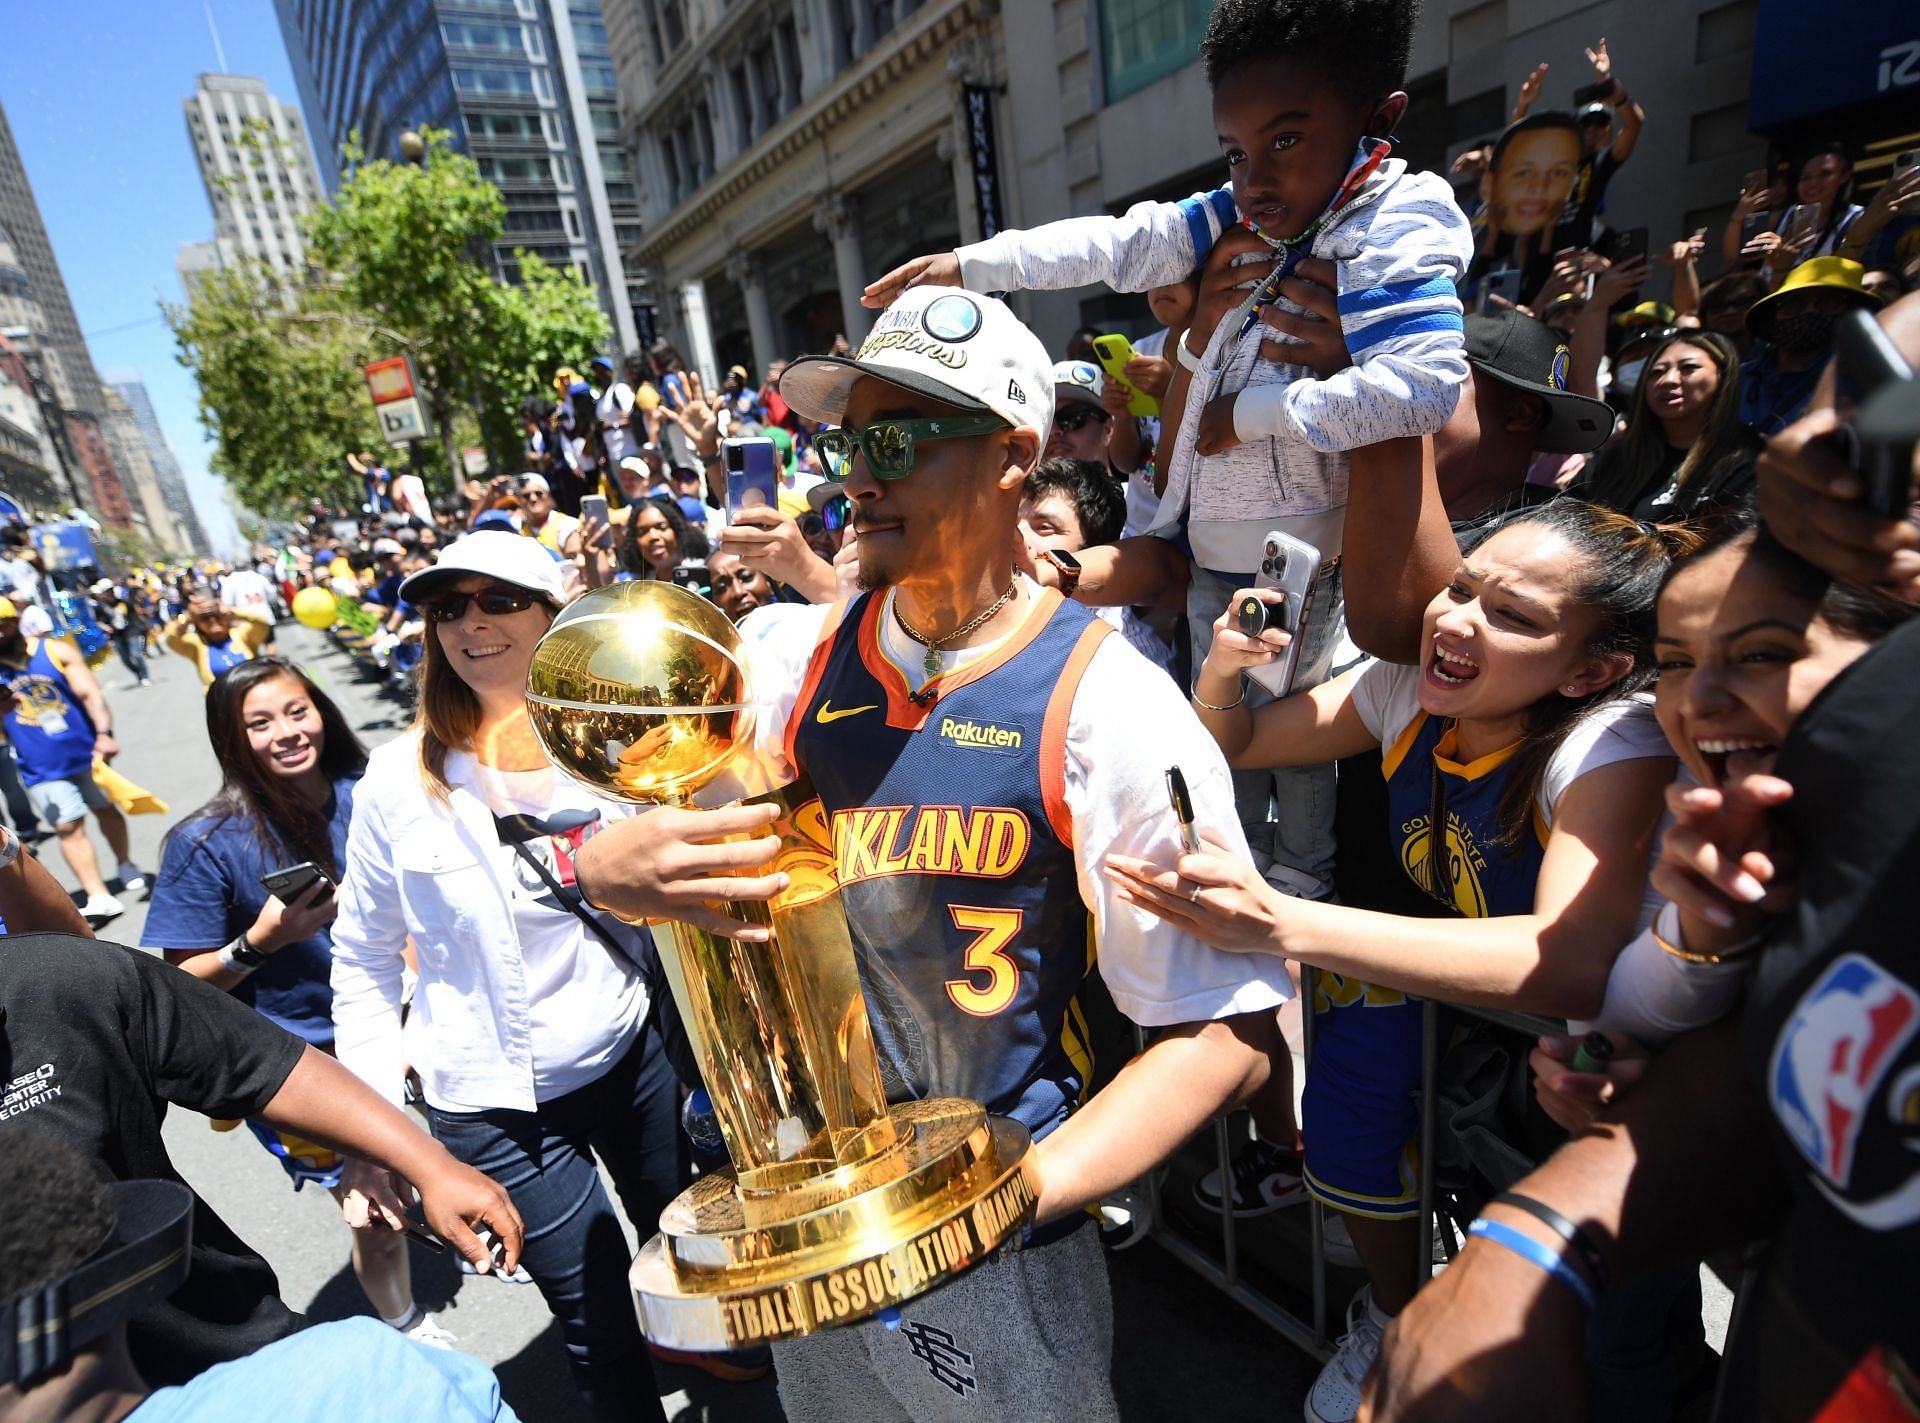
(955, 856)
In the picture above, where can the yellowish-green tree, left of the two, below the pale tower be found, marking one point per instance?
(281, 387)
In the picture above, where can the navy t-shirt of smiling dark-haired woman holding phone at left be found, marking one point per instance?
(208, 892)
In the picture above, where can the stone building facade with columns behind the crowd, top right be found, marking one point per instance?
(792, 151)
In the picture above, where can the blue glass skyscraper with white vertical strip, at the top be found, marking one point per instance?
(527, 89)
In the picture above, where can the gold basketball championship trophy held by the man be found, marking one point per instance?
(836, 1205)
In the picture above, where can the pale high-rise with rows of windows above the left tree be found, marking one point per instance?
(258, 170)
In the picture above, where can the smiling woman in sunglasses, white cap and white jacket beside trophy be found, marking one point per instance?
(539, 1036)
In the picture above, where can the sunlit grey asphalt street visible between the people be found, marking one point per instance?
(1182, 1351)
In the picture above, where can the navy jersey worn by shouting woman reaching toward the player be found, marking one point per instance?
(1487, 879)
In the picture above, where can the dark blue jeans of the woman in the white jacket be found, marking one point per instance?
(575, 1249)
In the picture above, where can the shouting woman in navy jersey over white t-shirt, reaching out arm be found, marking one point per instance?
(1525, 733)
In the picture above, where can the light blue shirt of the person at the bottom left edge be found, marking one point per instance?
(331, 1374)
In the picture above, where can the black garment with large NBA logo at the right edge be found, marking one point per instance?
(1835, 1046)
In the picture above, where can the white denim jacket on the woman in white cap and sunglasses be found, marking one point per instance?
(431, 871)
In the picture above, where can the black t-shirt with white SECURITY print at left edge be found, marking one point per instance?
(95, 1044)
